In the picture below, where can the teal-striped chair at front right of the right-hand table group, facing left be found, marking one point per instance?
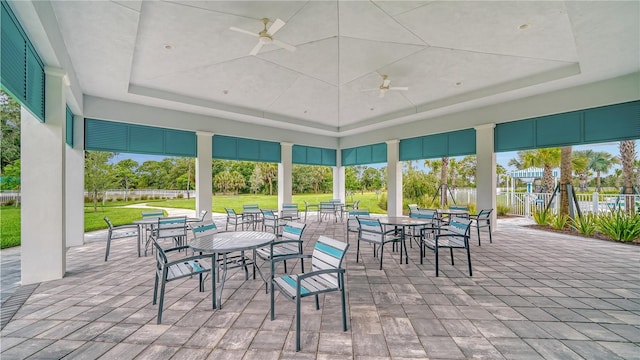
(453, 236)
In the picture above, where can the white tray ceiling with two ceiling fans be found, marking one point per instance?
(448, 53)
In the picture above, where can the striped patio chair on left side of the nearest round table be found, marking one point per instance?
(167, 271)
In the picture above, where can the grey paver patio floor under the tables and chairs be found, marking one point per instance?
(533, 295)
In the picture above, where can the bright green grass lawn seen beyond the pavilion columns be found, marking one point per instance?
(10, 215)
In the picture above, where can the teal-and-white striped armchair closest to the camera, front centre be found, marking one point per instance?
(327, 275)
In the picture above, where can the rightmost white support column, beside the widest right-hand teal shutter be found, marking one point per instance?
(486, 171)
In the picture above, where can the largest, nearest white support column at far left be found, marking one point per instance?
(43, 247)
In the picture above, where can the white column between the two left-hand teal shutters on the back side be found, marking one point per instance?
(204, 185)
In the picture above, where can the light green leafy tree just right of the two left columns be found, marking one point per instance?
(97, 174)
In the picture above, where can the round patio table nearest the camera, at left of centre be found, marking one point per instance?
(225, 243)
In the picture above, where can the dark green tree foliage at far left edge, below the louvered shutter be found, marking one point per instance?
(9, 130)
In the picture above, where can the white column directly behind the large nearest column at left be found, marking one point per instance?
(74, 185)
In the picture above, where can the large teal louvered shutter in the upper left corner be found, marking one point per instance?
(21, 69)
